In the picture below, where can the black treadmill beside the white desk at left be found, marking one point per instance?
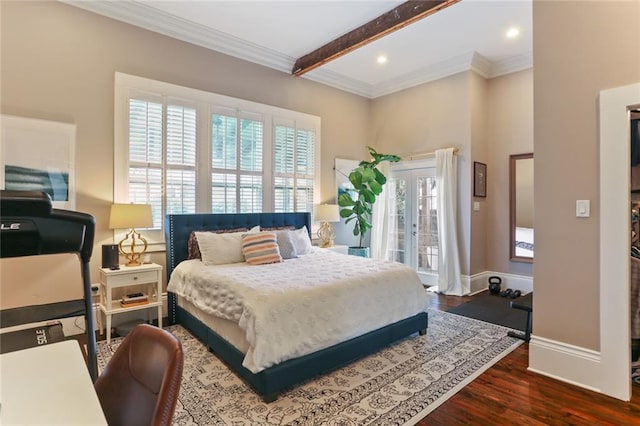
(30, 226)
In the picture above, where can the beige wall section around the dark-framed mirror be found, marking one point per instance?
(510, 131)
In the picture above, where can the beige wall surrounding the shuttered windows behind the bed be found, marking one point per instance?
(58, 63)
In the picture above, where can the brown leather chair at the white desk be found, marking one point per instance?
(140, 384)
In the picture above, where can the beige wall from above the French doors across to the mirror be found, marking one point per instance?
(487, 120)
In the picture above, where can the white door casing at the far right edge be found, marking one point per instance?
(615, 345)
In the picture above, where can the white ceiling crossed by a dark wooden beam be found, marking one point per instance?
(466, 35)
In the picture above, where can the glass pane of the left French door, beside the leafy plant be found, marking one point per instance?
(397, 219)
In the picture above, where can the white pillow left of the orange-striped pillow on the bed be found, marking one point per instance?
(220, 249)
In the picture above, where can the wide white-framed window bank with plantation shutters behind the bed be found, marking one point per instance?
(185, 151)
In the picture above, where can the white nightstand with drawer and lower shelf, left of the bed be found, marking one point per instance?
(146, 278)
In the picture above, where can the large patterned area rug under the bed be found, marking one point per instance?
(398, 385)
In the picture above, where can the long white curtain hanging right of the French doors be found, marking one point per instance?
(449, 281)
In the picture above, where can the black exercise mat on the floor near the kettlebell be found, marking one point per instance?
(494, 309)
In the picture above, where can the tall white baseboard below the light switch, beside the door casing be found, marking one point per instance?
(571, 364)
